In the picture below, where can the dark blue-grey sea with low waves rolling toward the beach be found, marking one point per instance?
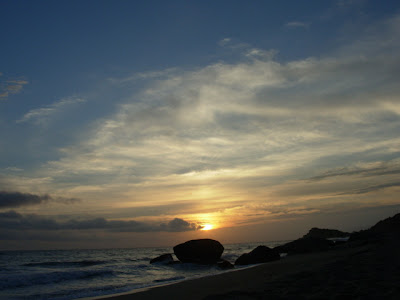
(74, 274)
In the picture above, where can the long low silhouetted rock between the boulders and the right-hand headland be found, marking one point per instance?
(305, 245)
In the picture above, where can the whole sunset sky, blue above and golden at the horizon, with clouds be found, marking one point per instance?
(138, 124)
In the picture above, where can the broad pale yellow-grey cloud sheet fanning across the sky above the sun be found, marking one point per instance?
(251, 130)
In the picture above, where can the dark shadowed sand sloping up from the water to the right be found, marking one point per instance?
(352, 271)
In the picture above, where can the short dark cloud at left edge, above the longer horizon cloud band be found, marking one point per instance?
(17, 199)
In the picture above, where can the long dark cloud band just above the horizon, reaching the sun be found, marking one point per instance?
(12, 220)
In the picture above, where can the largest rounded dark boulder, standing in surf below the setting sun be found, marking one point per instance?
(203, 251)
